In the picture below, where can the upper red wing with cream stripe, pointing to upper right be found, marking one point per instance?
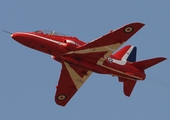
(101, 48)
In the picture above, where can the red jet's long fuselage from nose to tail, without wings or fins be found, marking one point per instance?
(56, 45)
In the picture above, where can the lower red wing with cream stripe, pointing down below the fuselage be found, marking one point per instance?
(71, 79)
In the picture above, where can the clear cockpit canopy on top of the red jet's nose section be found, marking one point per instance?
(50, 32)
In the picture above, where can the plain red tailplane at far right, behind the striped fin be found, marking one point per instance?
(142, 65)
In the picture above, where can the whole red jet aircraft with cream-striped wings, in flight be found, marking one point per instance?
(79, 59)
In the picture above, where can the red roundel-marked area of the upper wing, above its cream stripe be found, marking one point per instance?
(120, 35)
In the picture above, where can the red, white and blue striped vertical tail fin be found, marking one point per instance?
(127, 53)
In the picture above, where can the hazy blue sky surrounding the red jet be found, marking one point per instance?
(28, 77)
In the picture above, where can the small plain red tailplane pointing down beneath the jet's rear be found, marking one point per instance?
(128, 85)
